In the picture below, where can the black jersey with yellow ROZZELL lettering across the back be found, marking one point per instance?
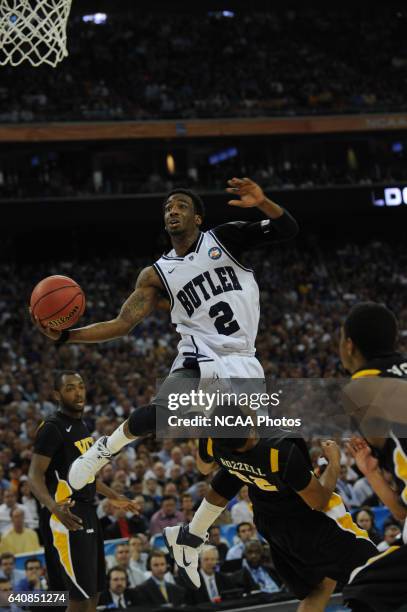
(274, 470)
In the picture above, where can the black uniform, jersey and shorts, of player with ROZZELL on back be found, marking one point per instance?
(306, 545)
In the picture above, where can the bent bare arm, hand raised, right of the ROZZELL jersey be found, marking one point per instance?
(318, 492)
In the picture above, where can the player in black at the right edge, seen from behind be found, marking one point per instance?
(368, 353)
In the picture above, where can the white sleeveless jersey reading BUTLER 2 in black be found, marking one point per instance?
(213, 297)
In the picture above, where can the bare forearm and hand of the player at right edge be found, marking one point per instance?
(369, 466)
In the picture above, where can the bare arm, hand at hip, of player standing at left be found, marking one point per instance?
(36, 479)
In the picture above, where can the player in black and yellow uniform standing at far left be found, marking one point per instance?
(73, 541)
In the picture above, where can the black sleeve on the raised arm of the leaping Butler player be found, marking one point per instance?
(240, 236)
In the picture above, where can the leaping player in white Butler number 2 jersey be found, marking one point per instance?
(214, 303)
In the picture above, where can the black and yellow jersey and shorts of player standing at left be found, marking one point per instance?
(75, 559)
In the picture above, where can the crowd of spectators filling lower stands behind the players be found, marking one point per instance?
(305, 295)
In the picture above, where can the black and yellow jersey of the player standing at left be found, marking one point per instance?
(63, 439)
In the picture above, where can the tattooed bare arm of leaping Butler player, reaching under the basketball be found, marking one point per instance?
(138, 305)
